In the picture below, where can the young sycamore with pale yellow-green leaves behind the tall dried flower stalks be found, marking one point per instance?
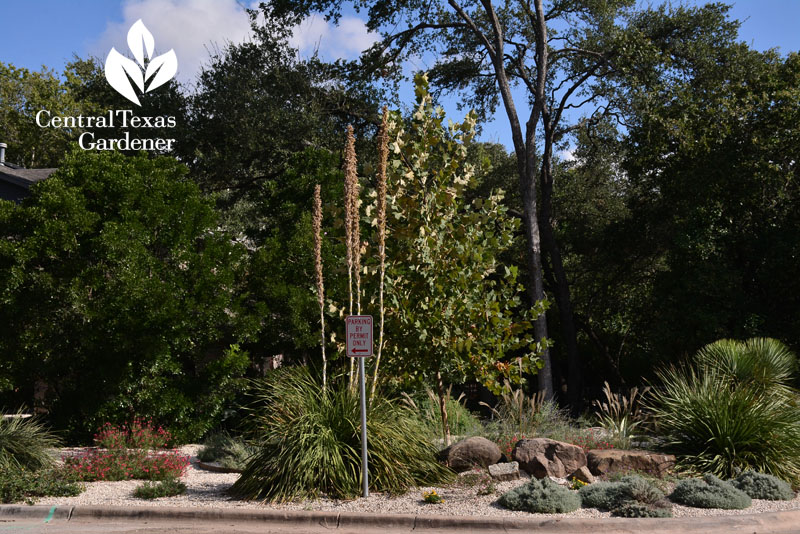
(453, 311)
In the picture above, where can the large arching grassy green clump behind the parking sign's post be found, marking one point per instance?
(309, 442)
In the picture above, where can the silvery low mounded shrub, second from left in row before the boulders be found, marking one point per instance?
(630, 495)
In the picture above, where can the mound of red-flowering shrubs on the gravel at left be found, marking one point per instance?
(128, 452)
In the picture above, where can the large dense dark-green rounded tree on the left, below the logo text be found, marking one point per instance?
(121, 297)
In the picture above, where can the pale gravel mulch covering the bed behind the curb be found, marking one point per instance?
(207, 489)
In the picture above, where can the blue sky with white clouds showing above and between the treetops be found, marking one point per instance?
(49, 33)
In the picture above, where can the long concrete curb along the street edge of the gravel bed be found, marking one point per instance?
(786, 522)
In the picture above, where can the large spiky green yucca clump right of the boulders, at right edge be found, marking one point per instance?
(719, 418)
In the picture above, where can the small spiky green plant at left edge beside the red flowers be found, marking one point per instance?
(25, 442)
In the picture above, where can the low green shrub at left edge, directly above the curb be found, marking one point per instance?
(18, 484)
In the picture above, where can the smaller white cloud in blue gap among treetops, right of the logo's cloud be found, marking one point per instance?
(345, 41)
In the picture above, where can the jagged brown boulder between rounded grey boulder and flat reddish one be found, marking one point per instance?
(542, 457)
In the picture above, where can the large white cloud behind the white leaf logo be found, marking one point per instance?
(190, 27)
